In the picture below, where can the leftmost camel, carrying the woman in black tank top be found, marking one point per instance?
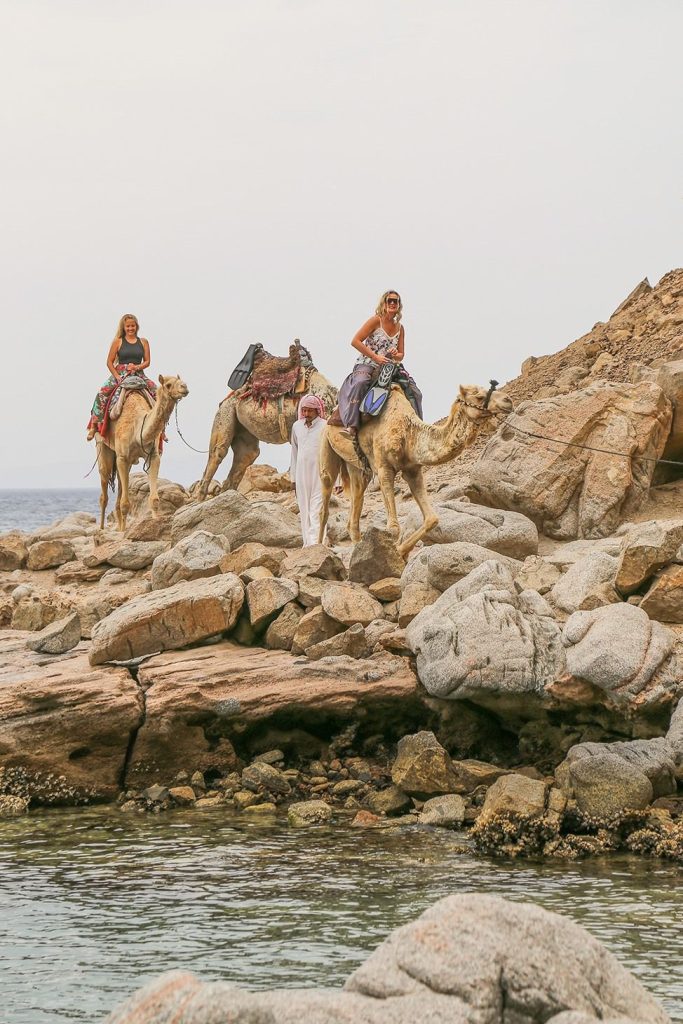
(134, 437)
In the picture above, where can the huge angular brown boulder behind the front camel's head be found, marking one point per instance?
(570, 492)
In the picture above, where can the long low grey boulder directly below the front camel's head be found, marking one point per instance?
(503, 532)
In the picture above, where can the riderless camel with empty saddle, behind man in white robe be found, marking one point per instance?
(242, 423)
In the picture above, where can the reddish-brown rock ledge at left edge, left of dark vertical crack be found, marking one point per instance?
(66, 732)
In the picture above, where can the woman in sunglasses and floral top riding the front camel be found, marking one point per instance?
(380, 340)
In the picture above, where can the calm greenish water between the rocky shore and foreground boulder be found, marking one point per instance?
(95, 903)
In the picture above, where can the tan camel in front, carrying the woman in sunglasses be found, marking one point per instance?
(400, 441)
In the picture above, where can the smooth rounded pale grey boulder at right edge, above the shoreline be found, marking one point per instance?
(622, 652)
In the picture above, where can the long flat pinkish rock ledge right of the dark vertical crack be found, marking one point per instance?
(198, 702)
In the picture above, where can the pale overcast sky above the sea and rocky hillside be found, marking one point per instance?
(260, 170)
